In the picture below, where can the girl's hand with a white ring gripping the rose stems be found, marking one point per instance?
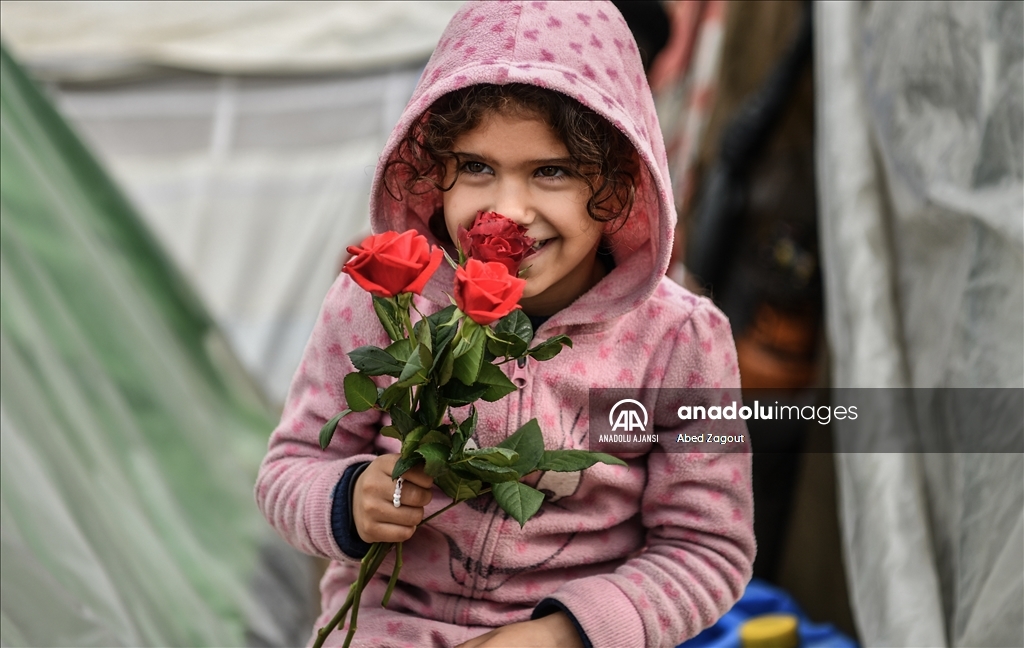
(373, 510)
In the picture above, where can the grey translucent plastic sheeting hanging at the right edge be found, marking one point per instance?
(921, 170)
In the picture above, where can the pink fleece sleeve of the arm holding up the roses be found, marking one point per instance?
(298, 481)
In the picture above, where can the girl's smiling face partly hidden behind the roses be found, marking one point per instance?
(519, 167)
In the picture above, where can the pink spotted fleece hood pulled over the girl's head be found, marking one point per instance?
(581, 50)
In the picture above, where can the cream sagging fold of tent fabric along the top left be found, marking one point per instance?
(100, 40)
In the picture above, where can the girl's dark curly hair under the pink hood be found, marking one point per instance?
(601, 154)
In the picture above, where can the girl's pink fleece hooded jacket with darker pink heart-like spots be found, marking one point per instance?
(646, 556)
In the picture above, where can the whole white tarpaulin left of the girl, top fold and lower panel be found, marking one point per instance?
(254, 183)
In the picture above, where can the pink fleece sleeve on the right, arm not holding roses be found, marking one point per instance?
(699, 511)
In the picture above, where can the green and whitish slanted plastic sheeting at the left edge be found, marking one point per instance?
(131, 436)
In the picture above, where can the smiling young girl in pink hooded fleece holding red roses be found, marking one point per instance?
(540, 112)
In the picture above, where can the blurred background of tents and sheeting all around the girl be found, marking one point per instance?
(180, 182)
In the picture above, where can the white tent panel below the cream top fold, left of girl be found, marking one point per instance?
(254, 185)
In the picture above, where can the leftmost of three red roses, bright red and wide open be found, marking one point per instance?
(391, 264)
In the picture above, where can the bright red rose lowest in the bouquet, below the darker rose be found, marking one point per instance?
(487, 292)
